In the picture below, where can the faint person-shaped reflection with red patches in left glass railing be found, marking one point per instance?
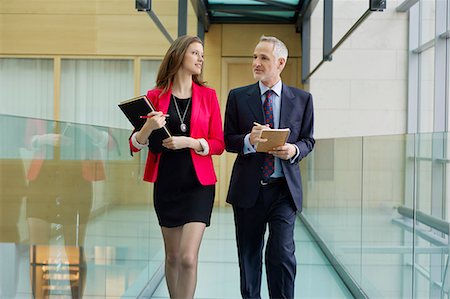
(67, 158)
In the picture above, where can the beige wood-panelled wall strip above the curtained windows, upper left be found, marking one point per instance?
(87, 27)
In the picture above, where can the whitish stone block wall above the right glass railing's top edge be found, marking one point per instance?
(363, 90)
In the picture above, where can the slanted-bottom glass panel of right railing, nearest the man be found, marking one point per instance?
(332, 198)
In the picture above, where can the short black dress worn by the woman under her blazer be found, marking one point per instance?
(179, 197)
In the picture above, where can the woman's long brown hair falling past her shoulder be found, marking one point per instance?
(173, 60)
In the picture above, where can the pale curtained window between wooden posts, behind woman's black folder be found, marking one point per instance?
(91, 90)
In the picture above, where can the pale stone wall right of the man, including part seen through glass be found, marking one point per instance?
(361, 92)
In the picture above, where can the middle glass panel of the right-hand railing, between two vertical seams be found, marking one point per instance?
(385, 248)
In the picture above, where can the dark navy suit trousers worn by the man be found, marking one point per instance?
(274, 207)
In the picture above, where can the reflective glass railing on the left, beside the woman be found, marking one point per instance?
(76, 218)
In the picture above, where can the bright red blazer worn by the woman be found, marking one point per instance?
(206, 122)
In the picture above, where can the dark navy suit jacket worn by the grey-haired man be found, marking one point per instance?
(243, 108)
